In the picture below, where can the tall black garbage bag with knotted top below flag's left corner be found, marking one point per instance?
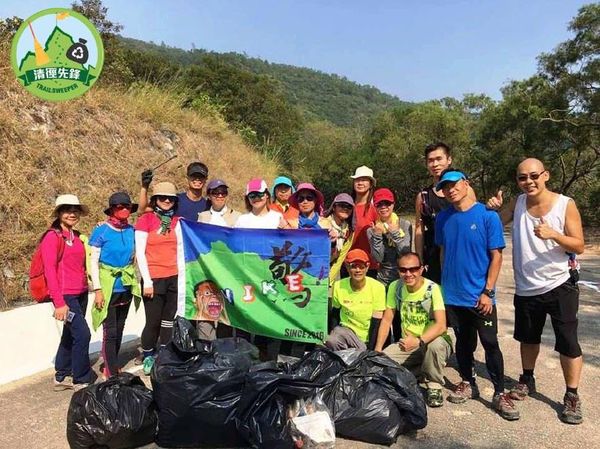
(197, 386)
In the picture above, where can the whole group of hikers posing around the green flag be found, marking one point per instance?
(385, 295)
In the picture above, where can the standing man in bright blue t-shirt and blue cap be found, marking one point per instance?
(471, 242)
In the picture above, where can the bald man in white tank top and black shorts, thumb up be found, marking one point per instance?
(546, 227)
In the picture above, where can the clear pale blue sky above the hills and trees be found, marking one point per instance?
(416, 50)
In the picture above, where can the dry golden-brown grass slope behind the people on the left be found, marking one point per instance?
(93, 146)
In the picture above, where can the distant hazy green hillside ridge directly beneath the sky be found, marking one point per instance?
(320, 95)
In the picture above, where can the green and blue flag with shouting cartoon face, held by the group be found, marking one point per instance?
(266, 282)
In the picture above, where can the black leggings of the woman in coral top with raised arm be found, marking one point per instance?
(160, 311)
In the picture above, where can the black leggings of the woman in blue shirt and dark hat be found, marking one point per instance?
(112, 328)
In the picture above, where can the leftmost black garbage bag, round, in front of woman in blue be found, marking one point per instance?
(117, 414)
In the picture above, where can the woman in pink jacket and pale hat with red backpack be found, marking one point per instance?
(64, 257)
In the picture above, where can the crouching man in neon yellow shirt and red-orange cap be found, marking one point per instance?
(360, 299)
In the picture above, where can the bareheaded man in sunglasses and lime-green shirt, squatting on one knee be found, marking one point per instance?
(425, 346)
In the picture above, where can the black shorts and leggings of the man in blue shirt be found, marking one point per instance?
(468, 323)
